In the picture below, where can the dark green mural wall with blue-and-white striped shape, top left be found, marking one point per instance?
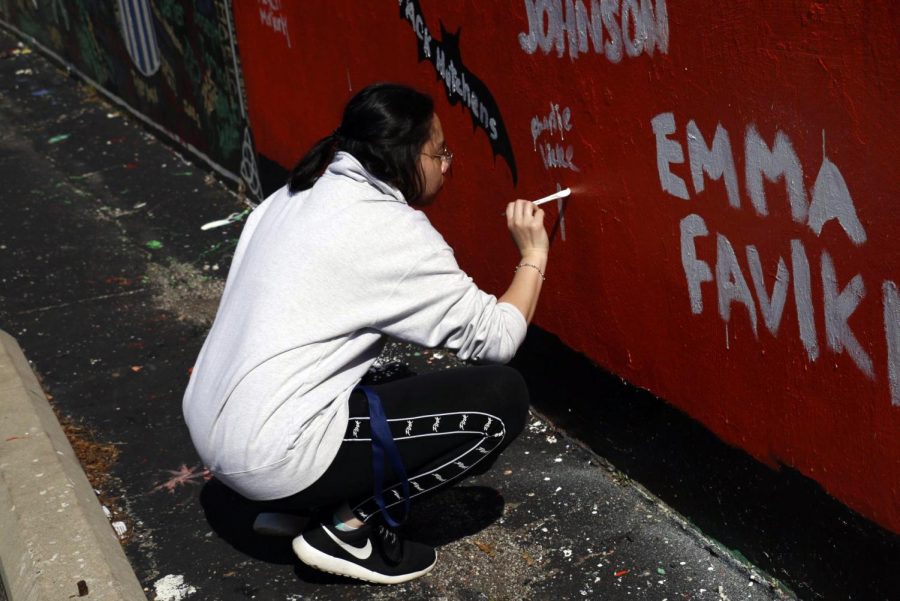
(174, 64)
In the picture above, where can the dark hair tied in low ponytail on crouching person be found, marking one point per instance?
(384, 127)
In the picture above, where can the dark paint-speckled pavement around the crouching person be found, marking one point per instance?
(109, 285)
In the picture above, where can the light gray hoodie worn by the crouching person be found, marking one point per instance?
(317, 281)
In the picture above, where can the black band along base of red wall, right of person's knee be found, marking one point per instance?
(782, 521)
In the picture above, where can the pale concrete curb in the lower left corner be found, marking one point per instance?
(54, 532)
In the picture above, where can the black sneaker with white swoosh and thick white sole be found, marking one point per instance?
(373, 553)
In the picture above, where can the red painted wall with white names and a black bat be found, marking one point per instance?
(650, 273)
